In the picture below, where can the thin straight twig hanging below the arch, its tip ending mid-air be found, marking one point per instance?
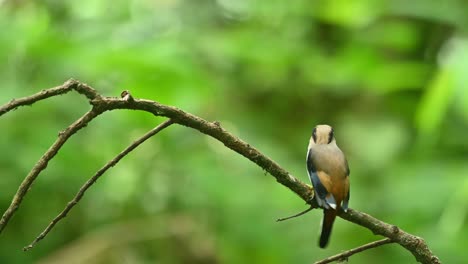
(93, 179)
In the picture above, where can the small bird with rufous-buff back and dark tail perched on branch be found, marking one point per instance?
(329, 173)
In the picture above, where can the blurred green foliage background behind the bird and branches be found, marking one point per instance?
(390, 76)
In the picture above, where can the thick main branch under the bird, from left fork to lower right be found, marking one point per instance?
(414, 244)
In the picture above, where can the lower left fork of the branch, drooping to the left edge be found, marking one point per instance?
(42, 163)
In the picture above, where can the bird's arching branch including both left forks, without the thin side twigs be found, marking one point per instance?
(101, 104)
